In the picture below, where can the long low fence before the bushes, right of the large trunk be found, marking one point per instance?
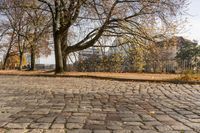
(124, 65)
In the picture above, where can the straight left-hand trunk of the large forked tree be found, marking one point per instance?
(58, 53)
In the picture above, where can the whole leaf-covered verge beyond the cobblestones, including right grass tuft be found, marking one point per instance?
(117, 76)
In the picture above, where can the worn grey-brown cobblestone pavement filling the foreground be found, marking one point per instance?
(78, 105)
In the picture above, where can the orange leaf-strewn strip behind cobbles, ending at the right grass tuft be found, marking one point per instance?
(128, 76)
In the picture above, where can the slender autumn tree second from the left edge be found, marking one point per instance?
(18, 23)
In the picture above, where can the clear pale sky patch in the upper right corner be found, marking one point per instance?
(192, 28)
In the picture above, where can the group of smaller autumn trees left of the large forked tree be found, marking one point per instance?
(24, 31)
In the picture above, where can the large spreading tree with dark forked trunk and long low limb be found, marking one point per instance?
(92, 19)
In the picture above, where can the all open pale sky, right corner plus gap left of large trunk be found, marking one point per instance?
(191, 30)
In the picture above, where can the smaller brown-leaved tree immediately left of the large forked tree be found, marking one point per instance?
(39, 34)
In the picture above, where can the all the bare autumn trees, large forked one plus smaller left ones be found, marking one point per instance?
(79, 24)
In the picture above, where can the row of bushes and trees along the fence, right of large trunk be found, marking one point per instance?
(168, 57)
